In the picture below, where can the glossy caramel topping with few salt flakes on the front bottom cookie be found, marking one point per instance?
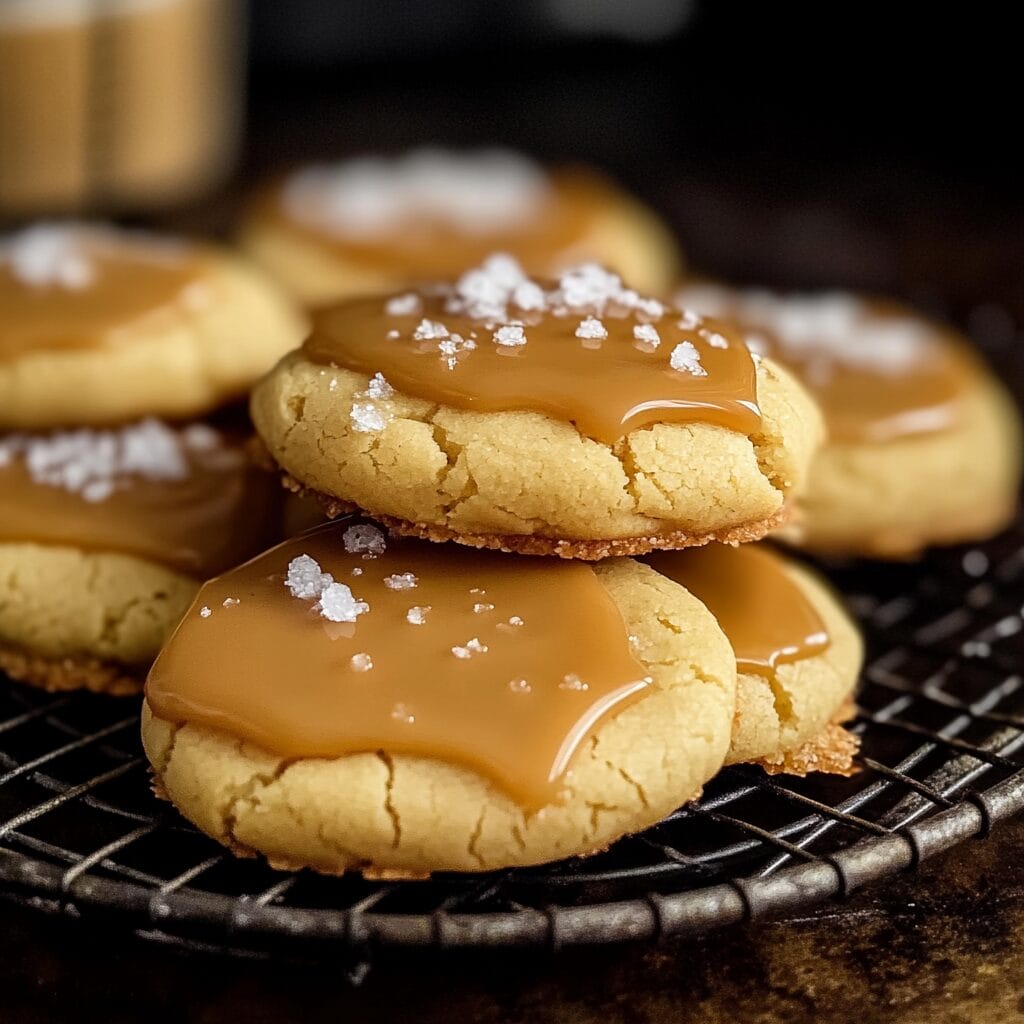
(320, 648)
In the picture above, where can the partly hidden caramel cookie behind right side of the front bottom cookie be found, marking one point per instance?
(798, 654)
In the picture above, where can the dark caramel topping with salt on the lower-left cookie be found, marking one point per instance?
(198, 508)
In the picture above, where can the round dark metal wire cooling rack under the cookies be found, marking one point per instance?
(942, 722)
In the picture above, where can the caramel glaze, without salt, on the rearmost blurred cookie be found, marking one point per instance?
(557, 235)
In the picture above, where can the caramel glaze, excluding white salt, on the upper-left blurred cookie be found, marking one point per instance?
(134, 280)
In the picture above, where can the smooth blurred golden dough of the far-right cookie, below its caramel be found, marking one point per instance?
(893, 500)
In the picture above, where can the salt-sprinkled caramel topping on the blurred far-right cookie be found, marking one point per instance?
(879, 371)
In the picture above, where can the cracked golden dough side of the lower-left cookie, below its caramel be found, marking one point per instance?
(73, 619)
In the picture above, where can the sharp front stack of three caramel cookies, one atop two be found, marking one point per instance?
(544, 677)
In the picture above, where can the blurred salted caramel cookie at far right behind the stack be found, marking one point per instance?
(924, 445)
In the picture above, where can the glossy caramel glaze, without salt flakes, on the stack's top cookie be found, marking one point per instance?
(606, 389)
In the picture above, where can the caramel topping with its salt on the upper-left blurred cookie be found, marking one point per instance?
(72, 287)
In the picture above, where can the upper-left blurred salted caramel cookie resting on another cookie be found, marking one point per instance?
(102, 326)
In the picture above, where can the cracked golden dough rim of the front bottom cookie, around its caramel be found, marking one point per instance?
(409, 817)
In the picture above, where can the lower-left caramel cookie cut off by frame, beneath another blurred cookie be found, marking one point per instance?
(105, 538)
